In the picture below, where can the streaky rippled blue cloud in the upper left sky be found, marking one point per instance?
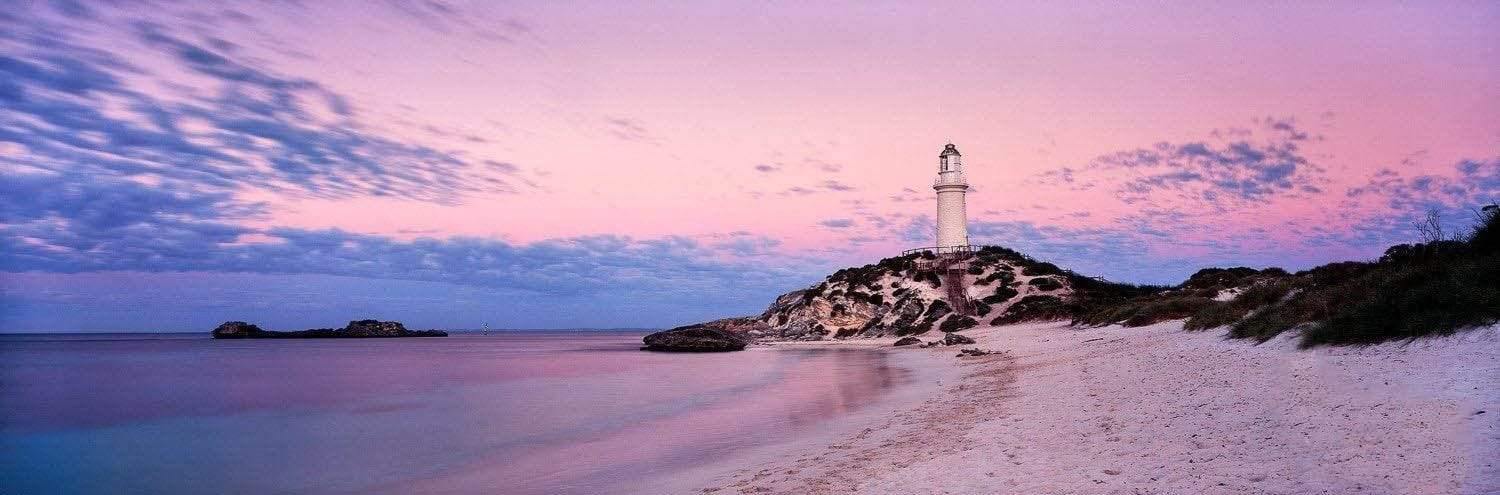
(74, 109)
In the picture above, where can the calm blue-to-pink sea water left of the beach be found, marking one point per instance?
(521, 413)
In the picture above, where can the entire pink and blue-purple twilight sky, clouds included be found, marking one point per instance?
(556, 164)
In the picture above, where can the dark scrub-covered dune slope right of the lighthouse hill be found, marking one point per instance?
(1435, 289)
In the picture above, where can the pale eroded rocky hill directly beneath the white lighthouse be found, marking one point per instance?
(893, 298)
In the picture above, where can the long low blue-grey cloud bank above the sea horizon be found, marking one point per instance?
(76, 224)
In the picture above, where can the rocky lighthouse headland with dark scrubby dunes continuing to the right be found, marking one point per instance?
(1435, 287)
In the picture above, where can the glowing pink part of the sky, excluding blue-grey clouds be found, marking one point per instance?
(877, 91)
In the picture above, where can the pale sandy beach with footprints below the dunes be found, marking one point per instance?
(1157, 410)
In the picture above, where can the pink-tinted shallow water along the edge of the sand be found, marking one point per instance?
(815, 388)
